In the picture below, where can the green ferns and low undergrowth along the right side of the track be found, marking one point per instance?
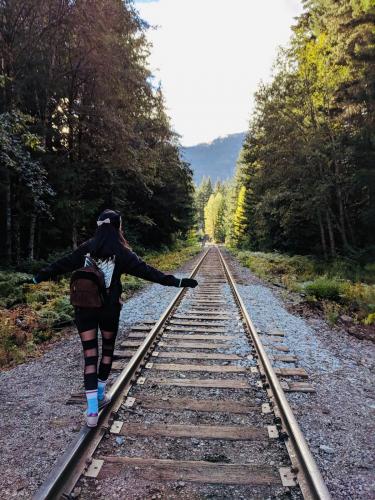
(341, 286)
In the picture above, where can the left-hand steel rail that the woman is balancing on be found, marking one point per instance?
(53, 486)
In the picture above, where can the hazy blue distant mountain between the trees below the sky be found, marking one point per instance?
(216, 159)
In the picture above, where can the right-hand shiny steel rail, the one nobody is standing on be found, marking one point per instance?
(312, 474)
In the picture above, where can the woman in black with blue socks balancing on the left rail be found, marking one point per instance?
(95, 292)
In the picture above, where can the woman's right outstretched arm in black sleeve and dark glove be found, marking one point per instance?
(134, 265)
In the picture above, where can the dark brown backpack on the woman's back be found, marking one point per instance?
(87, 287)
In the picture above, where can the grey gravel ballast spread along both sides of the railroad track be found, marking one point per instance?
(37, 426)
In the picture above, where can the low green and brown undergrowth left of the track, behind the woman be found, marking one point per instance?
(33, 314)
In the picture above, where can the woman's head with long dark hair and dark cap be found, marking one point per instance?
(108, 239)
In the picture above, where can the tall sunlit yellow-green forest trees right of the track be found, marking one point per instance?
(305, 181)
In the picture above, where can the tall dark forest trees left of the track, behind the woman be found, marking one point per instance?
(83, 127)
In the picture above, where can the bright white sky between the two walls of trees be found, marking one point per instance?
(210, 56)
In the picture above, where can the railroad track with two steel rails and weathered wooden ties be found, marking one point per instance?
(197, 409)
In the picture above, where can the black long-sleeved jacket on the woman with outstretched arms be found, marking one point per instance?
(127, 262)
